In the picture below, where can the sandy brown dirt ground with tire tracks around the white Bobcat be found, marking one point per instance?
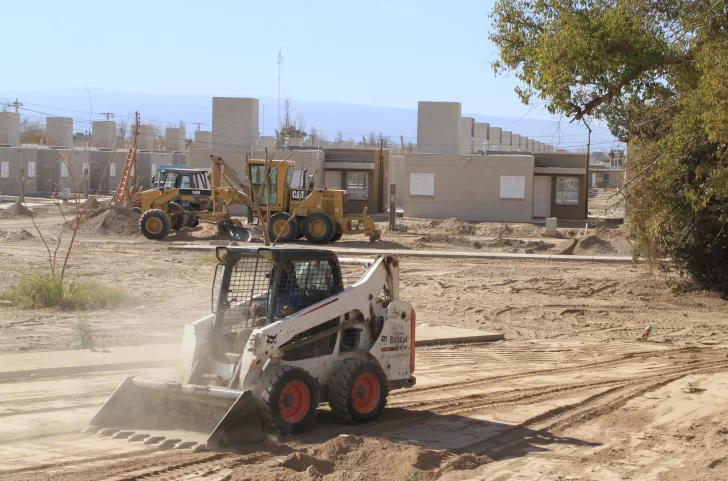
(571, 394)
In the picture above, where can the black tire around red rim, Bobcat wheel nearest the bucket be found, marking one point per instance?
(274, 379)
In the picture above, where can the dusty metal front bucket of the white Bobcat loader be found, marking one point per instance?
(226, 417)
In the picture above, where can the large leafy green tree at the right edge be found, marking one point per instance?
(654, 71)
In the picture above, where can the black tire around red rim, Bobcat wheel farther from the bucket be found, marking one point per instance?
(341, 385)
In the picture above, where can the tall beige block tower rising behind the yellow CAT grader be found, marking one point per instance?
(235, 122)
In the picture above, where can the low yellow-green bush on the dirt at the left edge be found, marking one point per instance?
(45, 290)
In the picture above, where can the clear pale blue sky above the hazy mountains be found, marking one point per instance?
(391, 52)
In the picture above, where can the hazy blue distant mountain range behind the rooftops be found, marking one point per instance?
(353, 120)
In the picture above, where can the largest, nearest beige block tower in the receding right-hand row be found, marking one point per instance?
(438, 127)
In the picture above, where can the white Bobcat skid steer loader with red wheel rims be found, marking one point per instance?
(284, 335)
